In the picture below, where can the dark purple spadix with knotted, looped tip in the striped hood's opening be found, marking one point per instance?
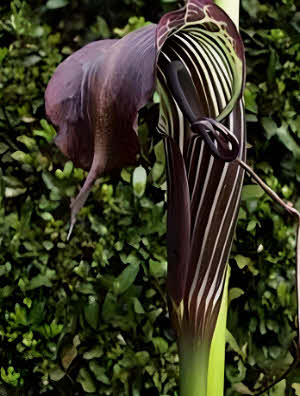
(221, 142)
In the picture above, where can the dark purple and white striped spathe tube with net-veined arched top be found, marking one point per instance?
(203, 190)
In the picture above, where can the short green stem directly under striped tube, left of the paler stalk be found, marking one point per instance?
(194, 358)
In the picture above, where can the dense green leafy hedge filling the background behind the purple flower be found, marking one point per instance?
(90, 316)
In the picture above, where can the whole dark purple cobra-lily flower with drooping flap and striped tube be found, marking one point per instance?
(194, 58)
